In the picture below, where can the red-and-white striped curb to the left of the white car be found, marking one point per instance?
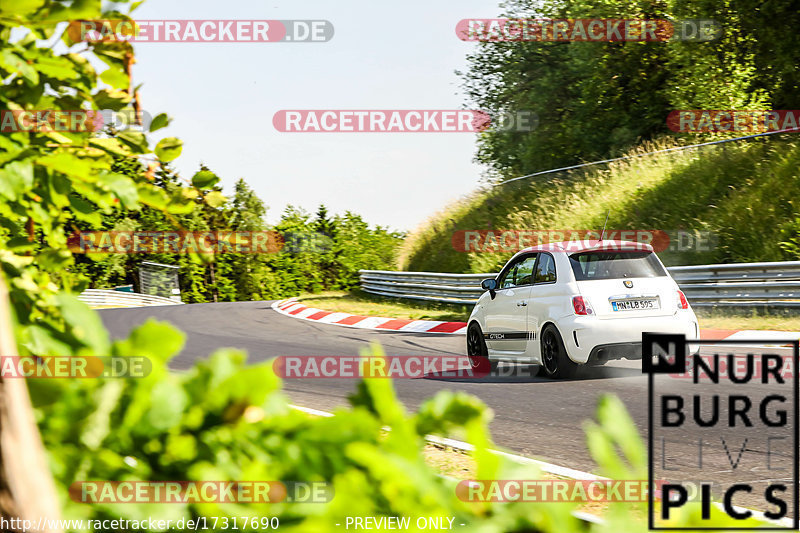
(294, 309)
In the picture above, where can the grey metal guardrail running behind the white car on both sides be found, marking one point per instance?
(775, 284)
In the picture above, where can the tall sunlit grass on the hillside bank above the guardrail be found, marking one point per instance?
(747, 193)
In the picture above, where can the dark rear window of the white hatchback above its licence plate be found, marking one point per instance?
(615, 265)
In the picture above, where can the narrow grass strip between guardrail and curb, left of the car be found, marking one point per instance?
(362, 303)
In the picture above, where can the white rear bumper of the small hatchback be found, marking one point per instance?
(594, 340)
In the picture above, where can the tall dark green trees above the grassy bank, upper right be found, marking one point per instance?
(596, 99)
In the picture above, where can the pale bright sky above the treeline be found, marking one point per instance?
(399, 55)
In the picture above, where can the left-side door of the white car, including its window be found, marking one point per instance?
(507, 317)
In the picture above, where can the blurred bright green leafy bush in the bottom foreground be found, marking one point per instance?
(224, 421)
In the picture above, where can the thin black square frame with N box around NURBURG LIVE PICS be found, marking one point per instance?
(678, 365)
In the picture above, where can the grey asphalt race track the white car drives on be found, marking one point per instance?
(533, 416)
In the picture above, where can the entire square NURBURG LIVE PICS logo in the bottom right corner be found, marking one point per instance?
(726, 435)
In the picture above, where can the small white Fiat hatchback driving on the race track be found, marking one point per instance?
(561, 305)
